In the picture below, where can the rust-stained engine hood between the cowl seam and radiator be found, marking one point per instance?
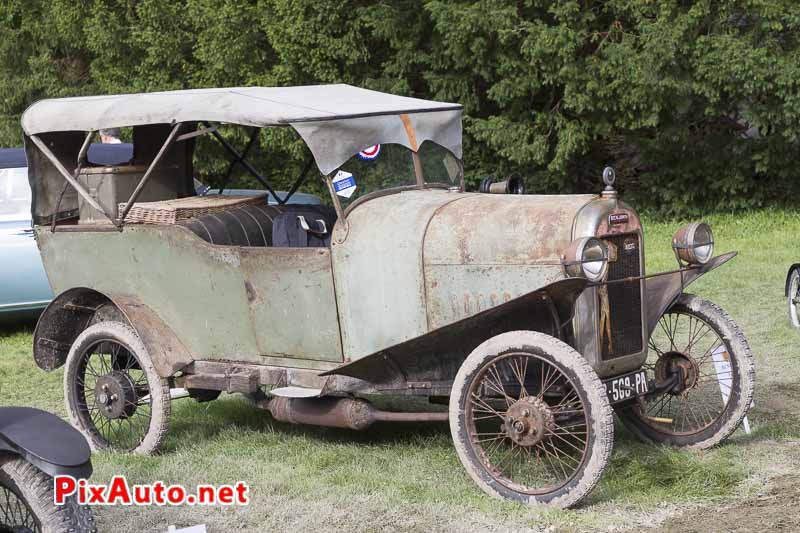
(485, 250)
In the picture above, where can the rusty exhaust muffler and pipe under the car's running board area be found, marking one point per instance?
(346, 413)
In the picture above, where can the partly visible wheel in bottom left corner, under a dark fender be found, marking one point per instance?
(27, 505)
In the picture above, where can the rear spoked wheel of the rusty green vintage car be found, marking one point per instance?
(113, 394)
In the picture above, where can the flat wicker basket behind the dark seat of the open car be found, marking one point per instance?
(172, 211)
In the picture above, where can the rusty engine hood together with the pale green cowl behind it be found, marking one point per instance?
(418, 260)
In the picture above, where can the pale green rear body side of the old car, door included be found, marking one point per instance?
(222, 302)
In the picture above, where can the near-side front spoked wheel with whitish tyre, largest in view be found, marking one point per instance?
(531, 420)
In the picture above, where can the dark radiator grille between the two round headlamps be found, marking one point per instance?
(624, 299)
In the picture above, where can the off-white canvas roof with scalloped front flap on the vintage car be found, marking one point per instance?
(335, 121)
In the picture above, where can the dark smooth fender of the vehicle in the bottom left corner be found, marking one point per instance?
(45, 441)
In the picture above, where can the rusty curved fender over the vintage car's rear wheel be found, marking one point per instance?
(76, 309)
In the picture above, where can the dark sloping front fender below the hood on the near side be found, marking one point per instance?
(431, 361)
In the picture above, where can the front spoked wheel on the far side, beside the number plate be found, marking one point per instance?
(698, 348)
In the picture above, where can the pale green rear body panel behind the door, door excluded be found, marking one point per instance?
(194, 287)
